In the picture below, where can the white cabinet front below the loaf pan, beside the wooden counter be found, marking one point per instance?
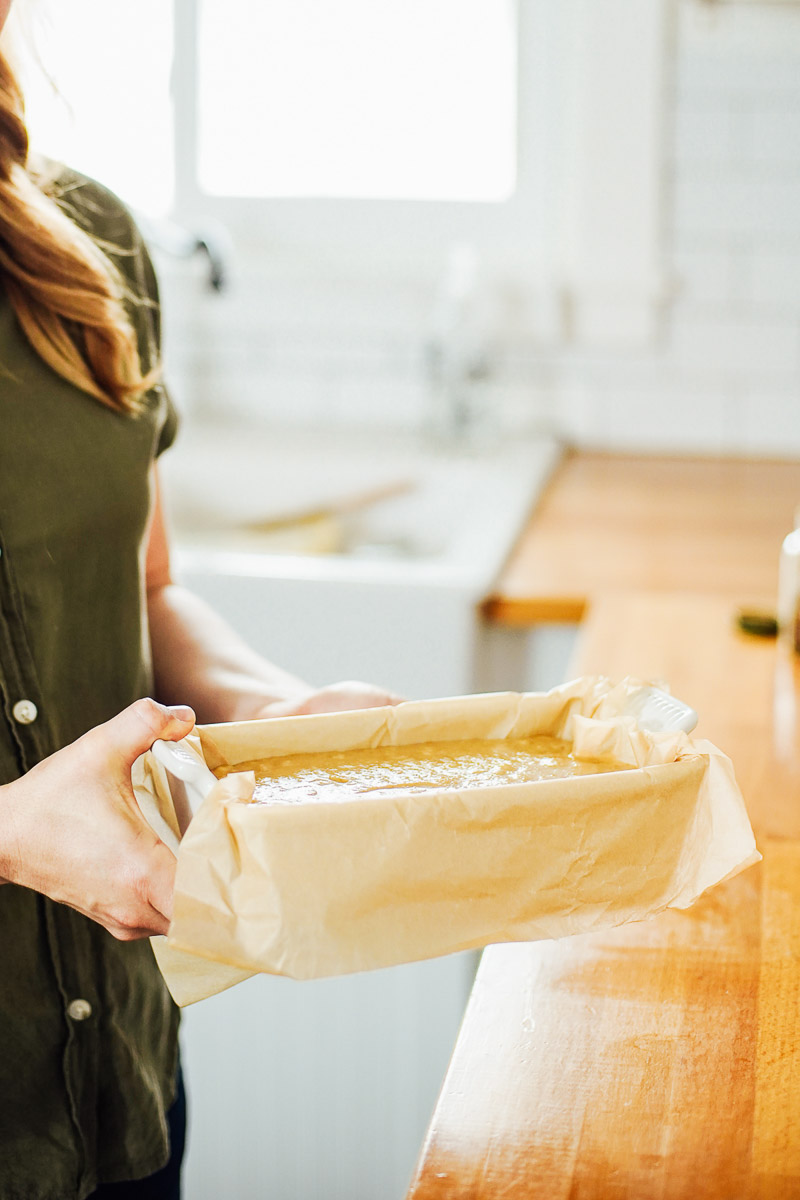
(318, 1090)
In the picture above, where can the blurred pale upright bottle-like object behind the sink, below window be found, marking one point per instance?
(458, 361)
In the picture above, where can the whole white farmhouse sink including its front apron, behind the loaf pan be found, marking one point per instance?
(396, 602)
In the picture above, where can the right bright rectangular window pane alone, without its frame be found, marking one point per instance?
(368, 99)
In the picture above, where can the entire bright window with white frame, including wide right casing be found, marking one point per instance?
(366, 139)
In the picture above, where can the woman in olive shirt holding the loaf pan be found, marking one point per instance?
(91, 623)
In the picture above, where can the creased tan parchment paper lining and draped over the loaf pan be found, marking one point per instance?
(322, 890)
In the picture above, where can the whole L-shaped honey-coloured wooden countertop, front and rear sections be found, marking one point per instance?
(660, 1060)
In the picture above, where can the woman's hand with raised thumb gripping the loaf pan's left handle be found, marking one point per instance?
(71, 829)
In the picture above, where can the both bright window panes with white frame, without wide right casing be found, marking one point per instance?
(376, 129)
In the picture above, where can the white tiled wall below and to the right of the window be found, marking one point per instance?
(724, 373)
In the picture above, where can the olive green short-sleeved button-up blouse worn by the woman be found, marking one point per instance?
(88, 1031)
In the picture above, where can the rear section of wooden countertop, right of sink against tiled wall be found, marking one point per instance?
(612, 523)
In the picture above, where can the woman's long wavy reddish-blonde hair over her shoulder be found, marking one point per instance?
(69, 297)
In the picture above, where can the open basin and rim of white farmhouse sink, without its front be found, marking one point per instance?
(444, 520)
